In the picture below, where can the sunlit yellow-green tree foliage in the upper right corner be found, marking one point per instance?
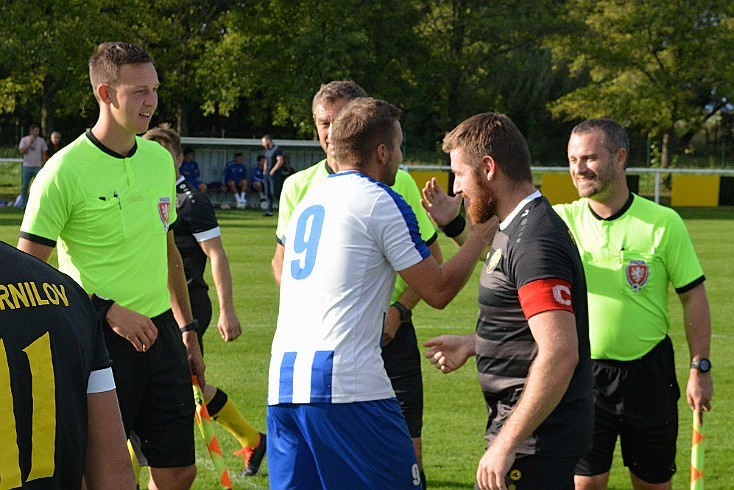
(652, 65)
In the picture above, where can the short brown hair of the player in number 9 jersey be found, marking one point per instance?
(361, 126)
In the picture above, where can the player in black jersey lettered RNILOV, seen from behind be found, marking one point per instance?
(60, 418)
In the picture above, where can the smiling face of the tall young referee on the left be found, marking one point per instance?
(134, 98)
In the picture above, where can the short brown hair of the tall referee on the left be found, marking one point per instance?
(105, 63)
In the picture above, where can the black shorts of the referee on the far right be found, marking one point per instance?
(636, 401)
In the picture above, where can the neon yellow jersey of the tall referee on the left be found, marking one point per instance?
(110, 215)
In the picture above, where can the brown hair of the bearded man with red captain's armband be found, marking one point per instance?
(495, 135)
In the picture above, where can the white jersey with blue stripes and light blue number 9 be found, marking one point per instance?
(345, 241)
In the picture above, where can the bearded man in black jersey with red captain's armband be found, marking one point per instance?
(532, 339)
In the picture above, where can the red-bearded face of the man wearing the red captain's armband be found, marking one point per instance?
(472, 184)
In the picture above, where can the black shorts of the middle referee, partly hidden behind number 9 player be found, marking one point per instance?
(402, 360)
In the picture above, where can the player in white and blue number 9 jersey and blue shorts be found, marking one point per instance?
(330, 400)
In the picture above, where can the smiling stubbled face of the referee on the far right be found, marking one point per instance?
(595, 170)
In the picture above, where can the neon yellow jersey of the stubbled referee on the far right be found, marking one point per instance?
(629, 260)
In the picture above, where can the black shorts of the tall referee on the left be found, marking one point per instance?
(155, 394)
